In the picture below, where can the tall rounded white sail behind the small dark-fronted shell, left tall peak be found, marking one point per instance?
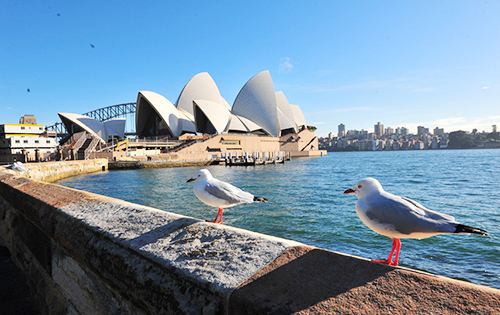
(200, 87)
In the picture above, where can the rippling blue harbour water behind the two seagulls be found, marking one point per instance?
(306, 202)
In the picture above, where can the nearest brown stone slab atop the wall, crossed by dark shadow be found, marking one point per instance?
(309, 280)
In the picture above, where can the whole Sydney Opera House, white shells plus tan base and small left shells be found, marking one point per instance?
(260, 120)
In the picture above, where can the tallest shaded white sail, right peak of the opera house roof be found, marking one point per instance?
(256, 101)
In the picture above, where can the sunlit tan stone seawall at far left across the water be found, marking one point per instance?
(53, 171)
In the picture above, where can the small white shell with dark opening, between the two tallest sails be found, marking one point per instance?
(211, 115)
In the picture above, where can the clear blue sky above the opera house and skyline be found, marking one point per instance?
(356, 62)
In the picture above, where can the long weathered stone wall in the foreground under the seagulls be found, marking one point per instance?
(89, 254)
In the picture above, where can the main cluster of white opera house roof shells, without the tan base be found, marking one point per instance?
(200, 108)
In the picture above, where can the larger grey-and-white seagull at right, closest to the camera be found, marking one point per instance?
(399, 217)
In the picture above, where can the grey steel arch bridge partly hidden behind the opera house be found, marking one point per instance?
(126, 110)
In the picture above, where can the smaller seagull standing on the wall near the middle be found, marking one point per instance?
(216, 193)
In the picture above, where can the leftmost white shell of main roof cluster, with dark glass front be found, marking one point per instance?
(156, 115)
